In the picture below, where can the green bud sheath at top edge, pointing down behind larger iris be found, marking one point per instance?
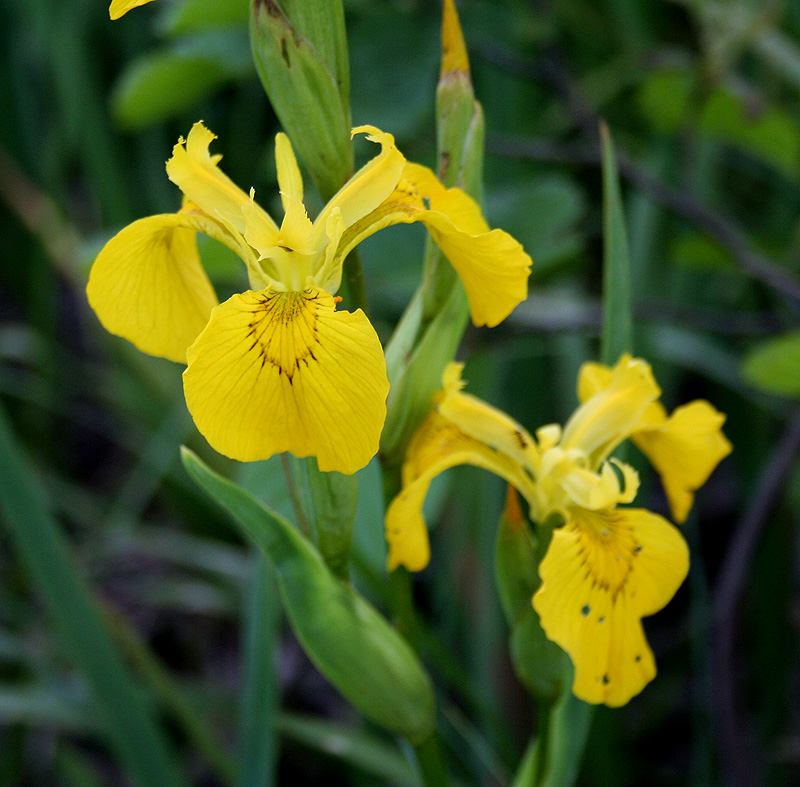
(309, 95)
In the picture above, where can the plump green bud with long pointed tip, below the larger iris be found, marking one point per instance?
(348, 641)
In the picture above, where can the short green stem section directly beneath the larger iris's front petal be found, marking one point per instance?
(334, 497)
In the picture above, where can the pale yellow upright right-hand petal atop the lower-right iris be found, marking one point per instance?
(609, 416)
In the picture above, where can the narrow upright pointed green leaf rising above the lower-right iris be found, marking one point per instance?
(617, 333)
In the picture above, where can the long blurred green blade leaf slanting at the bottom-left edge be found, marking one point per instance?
(128, 723)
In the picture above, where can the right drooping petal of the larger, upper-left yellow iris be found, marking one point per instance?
(492, 266)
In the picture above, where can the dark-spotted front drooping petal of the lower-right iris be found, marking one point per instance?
(603, 572)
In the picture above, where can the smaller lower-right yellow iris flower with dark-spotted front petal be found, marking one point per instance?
(606, 567)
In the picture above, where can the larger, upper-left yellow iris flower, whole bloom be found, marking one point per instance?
(278, 368)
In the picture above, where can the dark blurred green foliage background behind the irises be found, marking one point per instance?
(704, 101)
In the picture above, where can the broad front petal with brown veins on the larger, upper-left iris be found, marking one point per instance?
(284, 371)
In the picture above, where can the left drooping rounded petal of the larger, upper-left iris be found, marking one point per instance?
(148, 286)
